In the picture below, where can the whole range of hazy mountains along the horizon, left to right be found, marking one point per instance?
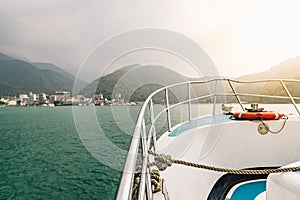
(131, 83)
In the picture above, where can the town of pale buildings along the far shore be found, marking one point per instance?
(61, 98)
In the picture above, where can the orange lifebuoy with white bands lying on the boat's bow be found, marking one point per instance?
(267, 115)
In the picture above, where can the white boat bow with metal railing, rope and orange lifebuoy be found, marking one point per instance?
(245, 154)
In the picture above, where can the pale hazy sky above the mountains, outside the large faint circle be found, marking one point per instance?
(240, 37)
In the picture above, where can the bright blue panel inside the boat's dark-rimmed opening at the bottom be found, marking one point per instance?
(249, 191)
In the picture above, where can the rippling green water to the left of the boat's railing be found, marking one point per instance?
(42, 156)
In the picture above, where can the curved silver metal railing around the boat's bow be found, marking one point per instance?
(144, 138)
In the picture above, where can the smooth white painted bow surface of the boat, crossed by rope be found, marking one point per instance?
(234, 144)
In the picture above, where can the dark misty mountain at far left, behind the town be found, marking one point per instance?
(18, 76)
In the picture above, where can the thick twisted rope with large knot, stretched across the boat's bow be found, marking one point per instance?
(163, 161)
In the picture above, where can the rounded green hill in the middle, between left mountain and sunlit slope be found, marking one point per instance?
(133, 83)
